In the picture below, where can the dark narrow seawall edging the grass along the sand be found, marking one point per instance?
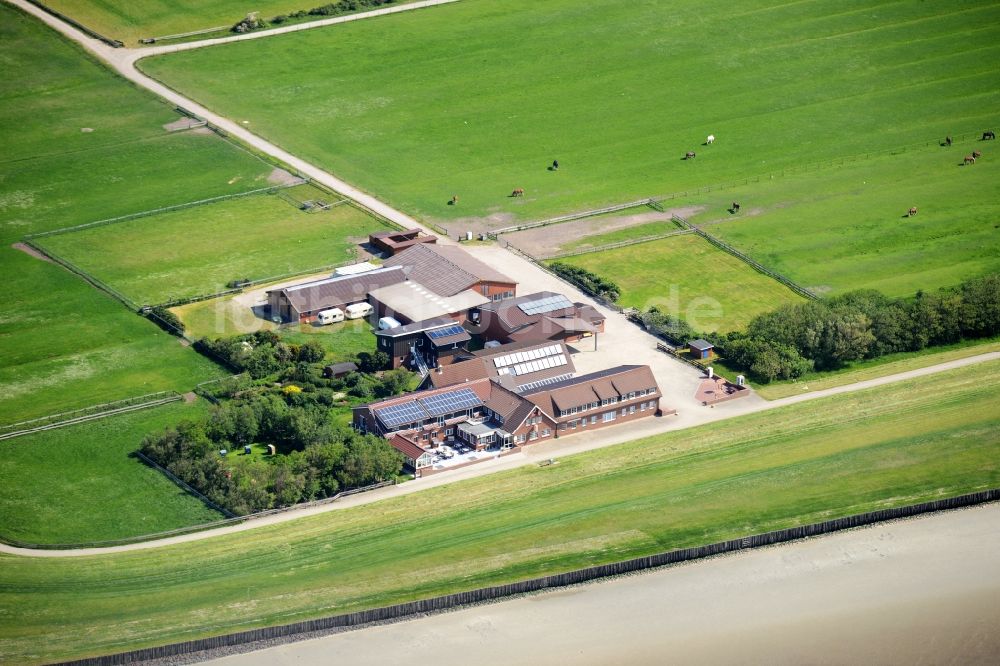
(533, 585)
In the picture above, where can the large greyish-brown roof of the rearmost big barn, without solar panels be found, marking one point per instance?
(444, 269)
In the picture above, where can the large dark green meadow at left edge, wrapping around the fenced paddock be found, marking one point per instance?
(63, 344)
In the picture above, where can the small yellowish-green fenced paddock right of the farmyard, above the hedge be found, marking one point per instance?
(688, 277)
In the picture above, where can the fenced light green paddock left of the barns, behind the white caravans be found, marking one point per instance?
(198, 250)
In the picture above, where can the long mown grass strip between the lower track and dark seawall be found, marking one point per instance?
(851, 453)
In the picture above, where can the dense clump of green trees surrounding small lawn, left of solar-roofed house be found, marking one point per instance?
(316, 459)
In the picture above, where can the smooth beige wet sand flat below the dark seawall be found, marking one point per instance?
(921, 591)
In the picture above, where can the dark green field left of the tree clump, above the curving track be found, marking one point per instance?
(79, 484)
